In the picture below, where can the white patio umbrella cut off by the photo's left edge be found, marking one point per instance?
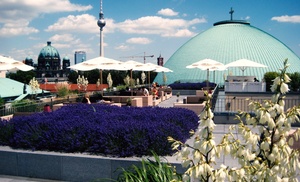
(7, 64)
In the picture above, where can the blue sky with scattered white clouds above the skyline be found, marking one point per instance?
(134, 28)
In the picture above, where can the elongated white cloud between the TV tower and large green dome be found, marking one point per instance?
(157, 25)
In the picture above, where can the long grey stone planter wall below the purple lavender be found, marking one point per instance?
(65, 166)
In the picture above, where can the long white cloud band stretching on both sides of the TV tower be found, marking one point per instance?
(145, 25)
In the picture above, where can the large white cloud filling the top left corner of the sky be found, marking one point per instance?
(26, 10)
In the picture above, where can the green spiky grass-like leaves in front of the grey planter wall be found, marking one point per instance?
(150, 171)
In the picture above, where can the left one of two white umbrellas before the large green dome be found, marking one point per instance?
(209, 65)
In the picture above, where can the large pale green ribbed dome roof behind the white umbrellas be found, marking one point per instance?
(228, 41)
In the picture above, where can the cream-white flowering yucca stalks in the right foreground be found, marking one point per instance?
(263, 151)
